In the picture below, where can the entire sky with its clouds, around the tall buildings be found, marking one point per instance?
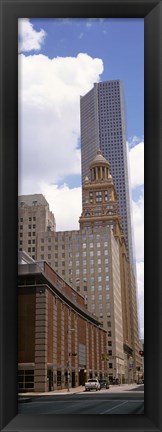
(59, 60)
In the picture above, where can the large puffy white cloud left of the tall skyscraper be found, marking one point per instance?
(49, 115)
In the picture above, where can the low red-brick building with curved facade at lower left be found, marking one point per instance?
(60, 343)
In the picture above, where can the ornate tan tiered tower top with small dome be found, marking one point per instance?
(99, 198)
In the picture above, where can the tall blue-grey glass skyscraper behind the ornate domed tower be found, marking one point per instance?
(103, 126)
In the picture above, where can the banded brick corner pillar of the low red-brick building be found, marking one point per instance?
(41, 320)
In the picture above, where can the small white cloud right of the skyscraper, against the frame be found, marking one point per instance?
(136, 157)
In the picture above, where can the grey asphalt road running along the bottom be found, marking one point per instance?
(102, 402)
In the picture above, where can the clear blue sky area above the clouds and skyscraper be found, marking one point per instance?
(120, 44)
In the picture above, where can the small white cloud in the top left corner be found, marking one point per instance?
(29, 39)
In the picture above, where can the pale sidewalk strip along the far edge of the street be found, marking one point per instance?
(79, 389)
